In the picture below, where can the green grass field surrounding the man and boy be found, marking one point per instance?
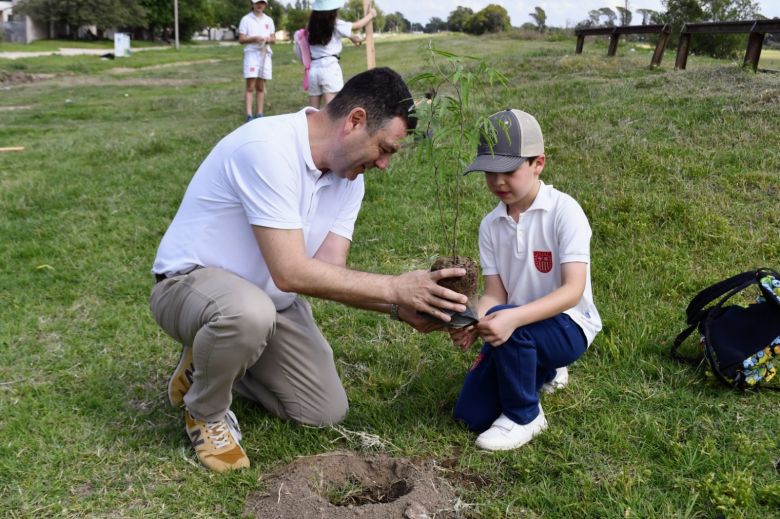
(677, 172)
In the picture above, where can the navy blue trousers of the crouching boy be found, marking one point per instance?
(506, 379)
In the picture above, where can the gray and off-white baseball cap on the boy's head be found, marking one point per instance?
(518, 138)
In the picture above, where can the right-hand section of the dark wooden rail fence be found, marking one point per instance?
(756, 29)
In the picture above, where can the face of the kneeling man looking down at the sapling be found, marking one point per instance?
(362, 151)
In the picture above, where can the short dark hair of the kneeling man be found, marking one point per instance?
(381, 92)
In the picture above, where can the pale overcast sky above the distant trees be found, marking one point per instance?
(560, 13)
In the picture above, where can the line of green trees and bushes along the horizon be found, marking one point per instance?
(153, 19)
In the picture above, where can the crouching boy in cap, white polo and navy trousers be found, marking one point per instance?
(536, 314)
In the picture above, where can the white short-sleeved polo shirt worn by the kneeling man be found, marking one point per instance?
(260, 174)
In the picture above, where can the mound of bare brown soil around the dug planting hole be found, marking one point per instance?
(346, 485)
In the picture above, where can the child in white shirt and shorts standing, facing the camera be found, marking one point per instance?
(256, 33)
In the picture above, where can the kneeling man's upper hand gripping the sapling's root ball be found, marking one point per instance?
(418, 290)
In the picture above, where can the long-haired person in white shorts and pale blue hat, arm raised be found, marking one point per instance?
(325, 33)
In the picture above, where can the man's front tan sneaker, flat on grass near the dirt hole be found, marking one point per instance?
(216, 443)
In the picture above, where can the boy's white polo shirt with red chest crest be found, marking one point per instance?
(527, 255)
